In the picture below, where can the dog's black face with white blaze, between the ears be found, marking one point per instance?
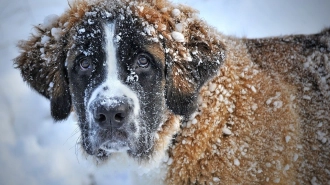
(117, 82)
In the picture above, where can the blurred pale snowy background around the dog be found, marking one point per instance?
(34, 150)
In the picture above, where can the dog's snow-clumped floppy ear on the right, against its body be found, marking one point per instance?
(201, 57)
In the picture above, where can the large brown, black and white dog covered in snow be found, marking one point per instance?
(151, 80)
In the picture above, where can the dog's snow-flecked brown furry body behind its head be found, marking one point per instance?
(275, 143)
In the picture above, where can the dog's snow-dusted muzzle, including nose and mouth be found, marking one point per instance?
(112, 124)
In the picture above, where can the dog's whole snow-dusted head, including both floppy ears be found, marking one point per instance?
(125, 68)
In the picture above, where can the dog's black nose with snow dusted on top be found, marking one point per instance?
(112, 113)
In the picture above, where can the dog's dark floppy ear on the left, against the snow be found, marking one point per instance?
(42, 66)
